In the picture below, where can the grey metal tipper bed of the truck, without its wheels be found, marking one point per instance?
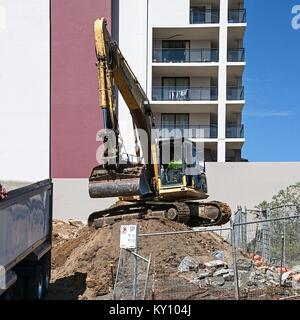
(25, 222)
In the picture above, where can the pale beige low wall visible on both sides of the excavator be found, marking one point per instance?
(238, 184)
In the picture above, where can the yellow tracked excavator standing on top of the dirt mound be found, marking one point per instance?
(147, 187)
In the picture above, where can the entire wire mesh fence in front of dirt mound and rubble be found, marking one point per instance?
(256, 255)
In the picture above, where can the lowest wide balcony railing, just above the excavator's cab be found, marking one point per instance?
(191, 132)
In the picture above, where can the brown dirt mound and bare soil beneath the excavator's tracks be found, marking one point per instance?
(81, 259)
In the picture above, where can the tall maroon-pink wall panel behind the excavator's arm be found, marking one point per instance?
(75, 115)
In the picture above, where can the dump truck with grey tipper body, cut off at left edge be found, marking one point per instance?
(25, 242)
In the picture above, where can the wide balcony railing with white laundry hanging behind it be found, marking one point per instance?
(184, 94)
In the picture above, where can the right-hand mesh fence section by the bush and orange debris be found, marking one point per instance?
(268, 242)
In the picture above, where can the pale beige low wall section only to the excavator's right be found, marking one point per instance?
(248, 184)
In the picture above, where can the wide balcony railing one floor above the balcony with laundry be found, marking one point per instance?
(185, 55)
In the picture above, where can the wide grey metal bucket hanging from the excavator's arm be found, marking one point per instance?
(125, 182)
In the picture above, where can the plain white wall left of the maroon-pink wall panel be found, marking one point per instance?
(24, 89)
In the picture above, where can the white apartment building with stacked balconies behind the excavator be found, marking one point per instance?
(189, 57)
